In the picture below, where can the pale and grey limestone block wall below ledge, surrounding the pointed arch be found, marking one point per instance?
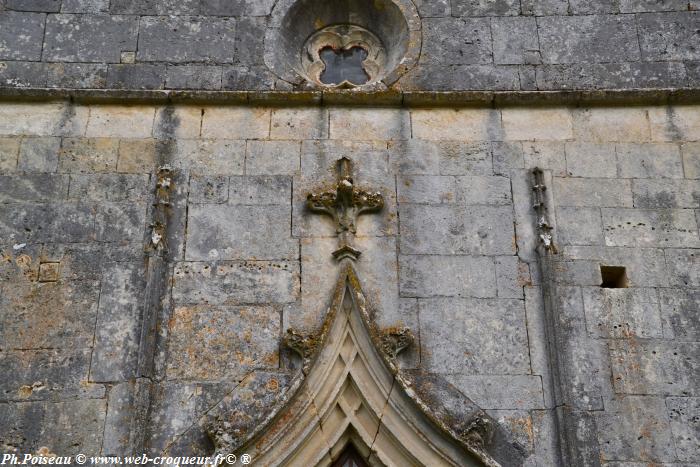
(109, 345)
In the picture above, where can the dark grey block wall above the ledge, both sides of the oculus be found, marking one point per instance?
(467, 45)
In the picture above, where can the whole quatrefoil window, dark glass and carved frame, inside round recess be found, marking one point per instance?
(343, 56)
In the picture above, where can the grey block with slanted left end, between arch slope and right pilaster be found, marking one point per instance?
(501, 392)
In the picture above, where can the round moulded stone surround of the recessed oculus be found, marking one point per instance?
(283, 56)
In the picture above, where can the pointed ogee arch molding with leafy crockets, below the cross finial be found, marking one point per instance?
(350, 390)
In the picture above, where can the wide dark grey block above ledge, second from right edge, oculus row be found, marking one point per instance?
(599, 38)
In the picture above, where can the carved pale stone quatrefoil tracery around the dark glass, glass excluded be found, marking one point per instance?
(343, 38)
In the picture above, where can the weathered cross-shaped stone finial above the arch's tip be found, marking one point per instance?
(345, 205)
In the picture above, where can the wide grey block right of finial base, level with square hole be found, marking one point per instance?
(451, 276)
